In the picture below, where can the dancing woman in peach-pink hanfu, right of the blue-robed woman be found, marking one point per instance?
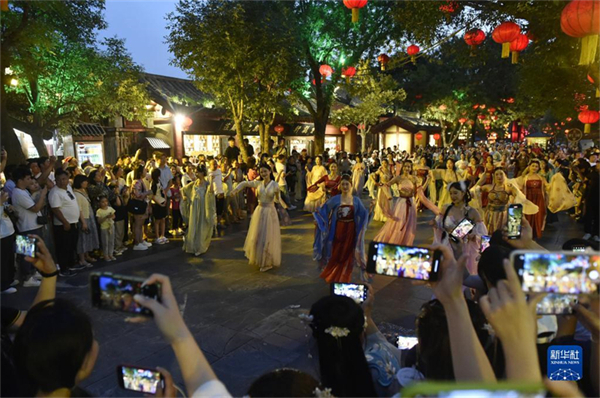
(401, 223)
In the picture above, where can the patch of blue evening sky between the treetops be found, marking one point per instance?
(143, 26)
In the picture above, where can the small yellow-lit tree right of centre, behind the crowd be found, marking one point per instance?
(375, 96)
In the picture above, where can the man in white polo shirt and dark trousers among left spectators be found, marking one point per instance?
(66, 216)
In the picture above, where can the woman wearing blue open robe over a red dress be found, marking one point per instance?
(339, 239)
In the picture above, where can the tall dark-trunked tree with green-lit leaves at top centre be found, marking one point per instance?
(326, 35)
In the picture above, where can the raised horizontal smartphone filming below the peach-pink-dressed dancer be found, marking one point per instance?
(403, 261)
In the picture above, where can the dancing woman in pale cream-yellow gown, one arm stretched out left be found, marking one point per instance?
(263, 242)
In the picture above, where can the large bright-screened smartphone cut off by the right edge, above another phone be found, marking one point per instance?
(557, 272)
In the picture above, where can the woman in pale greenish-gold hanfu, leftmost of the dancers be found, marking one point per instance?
(199, 211)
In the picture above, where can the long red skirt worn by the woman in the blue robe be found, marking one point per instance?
(339, 267)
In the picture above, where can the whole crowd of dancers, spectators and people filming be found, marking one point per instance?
(480, 327)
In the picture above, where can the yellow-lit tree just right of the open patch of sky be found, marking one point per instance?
(245, 59)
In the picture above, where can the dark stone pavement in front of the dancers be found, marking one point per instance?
(245, 321)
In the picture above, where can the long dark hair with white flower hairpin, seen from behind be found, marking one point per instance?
(342, 361)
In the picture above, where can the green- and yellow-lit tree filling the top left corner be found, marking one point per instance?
(62, 75)
